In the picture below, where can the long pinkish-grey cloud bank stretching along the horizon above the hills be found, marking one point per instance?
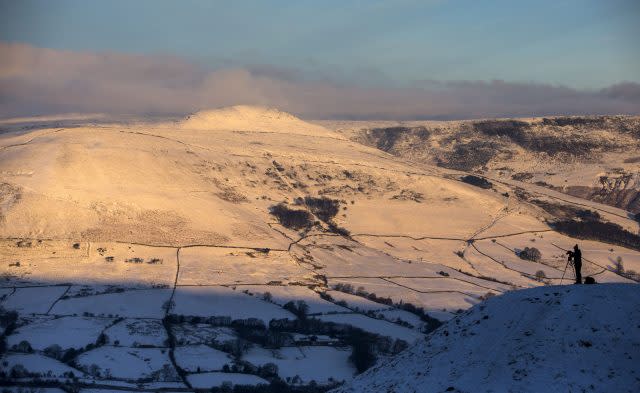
(37, 81)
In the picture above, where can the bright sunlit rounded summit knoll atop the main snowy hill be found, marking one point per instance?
(253, 118)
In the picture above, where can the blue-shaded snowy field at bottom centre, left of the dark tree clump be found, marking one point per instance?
(304, 362)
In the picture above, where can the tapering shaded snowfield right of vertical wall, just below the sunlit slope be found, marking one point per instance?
(222, 301)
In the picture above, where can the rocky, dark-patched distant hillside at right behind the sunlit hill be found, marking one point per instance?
(530, 150)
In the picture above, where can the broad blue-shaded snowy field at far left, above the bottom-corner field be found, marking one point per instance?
(67, 332)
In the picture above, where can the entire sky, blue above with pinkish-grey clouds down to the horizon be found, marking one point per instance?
(478, 57)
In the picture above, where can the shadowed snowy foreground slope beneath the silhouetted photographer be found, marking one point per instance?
(550, 339)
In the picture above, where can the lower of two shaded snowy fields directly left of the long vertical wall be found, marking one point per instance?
(126, 363)
